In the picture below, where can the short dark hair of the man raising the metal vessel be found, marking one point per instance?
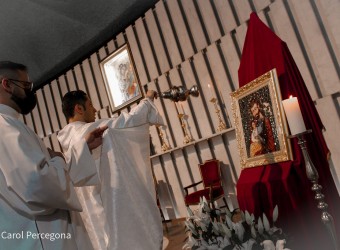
(70, 100)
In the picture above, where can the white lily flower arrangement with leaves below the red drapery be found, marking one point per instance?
(212, 228)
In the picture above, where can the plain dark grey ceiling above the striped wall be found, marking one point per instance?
(50, 36)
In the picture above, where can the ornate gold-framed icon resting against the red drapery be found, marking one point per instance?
(260, 124)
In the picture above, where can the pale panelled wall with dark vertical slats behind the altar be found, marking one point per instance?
(187, 42)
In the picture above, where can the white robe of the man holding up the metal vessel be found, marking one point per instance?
(121, 213)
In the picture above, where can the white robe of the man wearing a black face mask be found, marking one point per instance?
(36, 191)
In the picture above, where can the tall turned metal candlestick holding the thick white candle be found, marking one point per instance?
(313, 176)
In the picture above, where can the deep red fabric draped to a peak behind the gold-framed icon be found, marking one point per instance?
(285, 184)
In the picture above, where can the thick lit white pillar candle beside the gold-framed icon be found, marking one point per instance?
(294, 116)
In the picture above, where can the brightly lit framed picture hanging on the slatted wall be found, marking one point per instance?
(121, 81)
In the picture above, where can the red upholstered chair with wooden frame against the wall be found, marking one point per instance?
(211, 178)
